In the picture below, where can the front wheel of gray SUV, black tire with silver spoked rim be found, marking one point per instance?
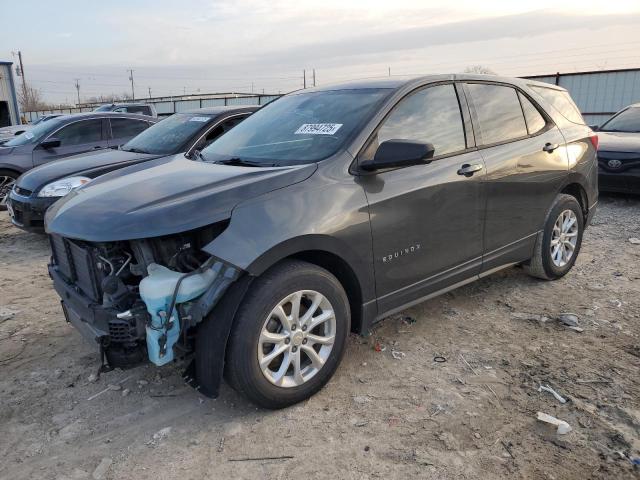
(289, 335)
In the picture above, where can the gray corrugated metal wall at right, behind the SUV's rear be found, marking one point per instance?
(599, 94)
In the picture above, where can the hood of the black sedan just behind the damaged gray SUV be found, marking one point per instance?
(88, 164)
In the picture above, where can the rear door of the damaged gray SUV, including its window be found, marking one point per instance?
(526, 162)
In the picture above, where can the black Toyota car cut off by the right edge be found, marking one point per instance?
(619, 152)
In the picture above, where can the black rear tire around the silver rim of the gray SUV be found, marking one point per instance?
(541, 264)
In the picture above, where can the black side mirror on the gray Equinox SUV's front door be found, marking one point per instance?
(399, 153)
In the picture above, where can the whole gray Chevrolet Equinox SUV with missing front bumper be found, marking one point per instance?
(322, 213)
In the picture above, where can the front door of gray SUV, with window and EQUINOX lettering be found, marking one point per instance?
(426, 220)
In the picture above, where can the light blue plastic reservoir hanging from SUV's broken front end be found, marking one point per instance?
(156, 290)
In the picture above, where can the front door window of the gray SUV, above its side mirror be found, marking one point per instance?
(431, 115)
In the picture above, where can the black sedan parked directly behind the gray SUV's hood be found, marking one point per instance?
(188, 132)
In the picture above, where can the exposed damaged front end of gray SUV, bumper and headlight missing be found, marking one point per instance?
(140, 299)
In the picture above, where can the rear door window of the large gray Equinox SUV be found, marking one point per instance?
(499, 113)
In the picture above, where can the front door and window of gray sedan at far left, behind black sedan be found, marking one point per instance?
(77, 137)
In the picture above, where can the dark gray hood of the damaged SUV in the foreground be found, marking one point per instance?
(171, 197)
